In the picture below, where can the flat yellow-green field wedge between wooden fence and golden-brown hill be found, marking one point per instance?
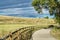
(5, 29)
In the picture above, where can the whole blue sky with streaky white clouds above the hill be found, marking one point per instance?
(20, 8)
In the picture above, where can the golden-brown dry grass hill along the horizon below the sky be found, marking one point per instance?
(10, 20)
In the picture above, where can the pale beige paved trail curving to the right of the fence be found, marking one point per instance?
(43, 34)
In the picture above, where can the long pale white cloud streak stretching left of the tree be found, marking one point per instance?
(18, 10)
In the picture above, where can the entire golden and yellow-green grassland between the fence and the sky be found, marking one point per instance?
(9, 24)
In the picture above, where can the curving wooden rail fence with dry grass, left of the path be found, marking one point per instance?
(20, 34)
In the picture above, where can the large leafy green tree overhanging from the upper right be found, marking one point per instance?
(52, 5)
